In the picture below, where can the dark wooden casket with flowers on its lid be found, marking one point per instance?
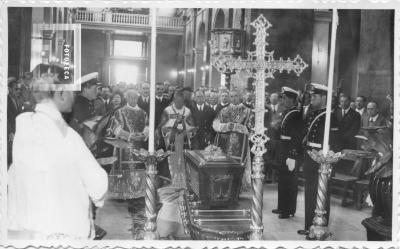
(214, 180)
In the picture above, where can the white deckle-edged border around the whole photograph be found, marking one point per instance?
(284, 4)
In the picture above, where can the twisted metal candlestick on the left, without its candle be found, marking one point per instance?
(150, 161)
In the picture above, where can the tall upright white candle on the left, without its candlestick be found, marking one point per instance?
(153, 16)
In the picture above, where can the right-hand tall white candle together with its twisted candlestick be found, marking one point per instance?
(325, 158)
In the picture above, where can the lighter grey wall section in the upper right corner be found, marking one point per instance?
(375, 62)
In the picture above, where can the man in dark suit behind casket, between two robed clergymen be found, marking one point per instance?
(203, 117)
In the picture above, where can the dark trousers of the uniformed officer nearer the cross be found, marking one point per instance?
(287, 192)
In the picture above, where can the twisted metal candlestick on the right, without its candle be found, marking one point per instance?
(319, 230)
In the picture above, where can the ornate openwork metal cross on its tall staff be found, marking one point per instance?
(259, 65)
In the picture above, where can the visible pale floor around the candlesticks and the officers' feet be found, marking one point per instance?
(345, 223)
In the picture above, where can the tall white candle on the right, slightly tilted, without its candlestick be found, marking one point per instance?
(325, 147)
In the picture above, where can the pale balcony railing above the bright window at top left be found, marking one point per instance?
(127, 19)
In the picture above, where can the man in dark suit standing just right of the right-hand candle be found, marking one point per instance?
(349, 124)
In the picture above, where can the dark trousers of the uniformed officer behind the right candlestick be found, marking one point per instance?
(310, 169)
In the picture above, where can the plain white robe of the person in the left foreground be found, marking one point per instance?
(52, 178)
